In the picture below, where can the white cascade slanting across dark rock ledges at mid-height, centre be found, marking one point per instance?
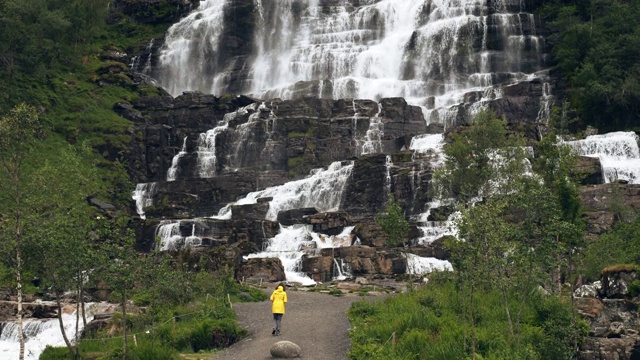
(322, 190)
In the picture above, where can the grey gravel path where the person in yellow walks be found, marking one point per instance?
(316, 322)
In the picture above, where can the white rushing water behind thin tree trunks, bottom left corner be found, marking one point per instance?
(39, 334)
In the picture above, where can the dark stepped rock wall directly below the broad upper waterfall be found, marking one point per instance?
(289, 136)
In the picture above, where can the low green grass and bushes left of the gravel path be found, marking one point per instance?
(196, 318)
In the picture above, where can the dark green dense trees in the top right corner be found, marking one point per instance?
(596, 45)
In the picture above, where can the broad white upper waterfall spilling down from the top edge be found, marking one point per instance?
(432, 53)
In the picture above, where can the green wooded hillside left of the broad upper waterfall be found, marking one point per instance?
(63, 59)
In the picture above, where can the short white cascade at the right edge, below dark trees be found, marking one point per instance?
(618, 153)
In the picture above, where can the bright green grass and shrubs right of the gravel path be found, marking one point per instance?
(432, 323)
